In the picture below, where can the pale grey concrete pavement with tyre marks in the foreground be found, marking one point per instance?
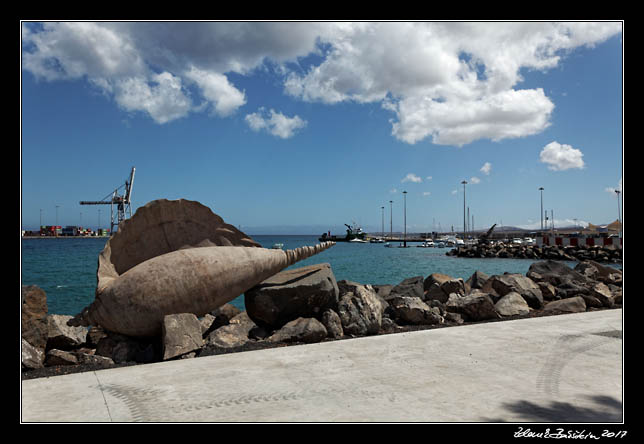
(565, 368)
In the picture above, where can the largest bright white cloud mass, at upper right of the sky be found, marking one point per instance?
(453, 83)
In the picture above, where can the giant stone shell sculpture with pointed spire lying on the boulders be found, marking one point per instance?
(177, 256)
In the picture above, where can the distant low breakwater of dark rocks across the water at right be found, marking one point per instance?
(554, 252)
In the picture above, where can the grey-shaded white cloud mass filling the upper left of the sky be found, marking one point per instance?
(149, 66)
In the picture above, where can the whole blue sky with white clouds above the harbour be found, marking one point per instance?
(302, 127)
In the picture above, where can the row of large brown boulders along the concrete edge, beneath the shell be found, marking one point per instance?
(307, 305)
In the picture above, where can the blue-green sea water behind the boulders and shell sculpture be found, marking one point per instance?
(65, 268)
